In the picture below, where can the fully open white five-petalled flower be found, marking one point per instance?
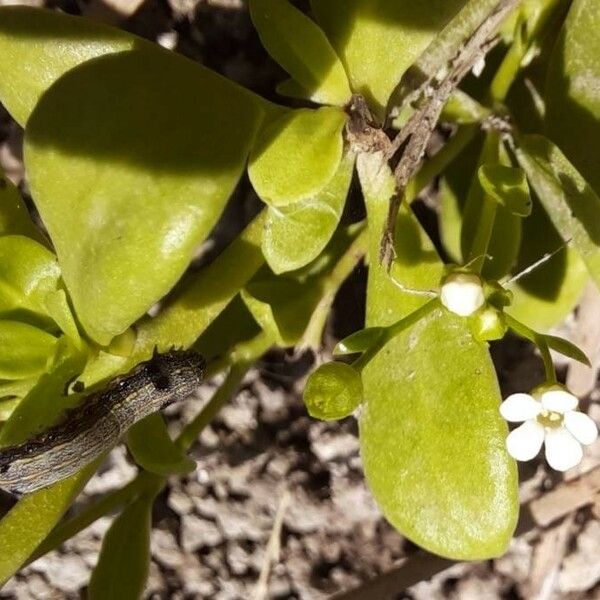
(551, 419)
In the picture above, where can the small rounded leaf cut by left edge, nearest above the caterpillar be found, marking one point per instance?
(25, 350)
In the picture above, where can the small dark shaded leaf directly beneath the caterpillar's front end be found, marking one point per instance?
(153, 449)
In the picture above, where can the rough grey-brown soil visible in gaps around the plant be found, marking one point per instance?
(264, 455)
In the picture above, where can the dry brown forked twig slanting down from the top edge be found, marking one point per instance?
(419, 129)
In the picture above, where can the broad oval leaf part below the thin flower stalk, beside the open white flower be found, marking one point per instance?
(433, 442)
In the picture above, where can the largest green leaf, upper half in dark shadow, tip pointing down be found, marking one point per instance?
(125, 213)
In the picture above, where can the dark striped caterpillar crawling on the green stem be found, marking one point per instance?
(95, 426)
